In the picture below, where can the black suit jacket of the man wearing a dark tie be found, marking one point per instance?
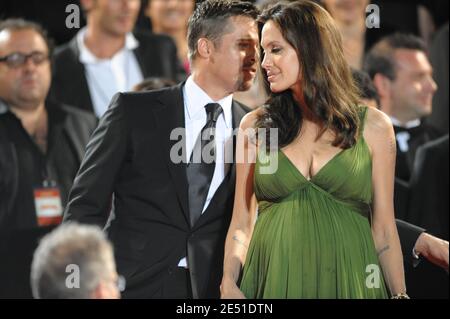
(129, 158)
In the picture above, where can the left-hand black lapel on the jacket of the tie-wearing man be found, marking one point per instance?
(169, 117)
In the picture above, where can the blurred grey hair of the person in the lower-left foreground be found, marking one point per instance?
(69, 245)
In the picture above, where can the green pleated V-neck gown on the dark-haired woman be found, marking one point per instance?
(312, 238)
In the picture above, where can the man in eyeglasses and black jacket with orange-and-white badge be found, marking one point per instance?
(41, 142)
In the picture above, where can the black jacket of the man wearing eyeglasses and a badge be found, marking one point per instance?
(19, 233)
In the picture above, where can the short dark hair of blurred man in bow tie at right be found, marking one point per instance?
(380, 58)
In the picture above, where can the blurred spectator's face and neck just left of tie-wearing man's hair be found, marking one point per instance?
(171, 17)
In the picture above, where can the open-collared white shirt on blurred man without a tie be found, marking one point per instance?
(106, 77)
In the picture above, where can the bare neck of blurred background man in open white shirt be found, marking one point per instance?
(103, 45)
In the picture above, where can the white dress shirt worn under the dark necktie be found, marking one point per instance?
(195, 100)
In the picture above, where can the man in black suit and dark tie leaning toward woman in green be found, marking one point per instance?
(169, 219)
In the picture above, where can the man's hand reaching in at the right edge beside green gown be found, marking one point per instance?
(435, 250)
